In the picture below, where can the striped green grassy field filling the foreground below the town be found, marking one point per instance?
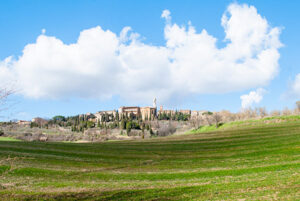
(259, 162)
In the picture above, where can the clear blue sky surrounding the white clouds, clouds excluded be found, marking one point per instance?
(22, 22)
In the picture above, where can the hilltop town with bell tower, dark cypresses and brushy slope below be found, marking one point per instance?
(126, 122)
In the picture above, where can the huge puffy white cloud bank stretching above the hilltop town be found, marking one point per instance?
(102, 64)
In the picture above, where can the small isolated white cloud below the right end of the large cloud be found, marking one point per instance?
(254, 97)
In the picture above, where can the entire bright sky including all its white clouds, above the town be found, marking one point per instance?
(73, 57)
